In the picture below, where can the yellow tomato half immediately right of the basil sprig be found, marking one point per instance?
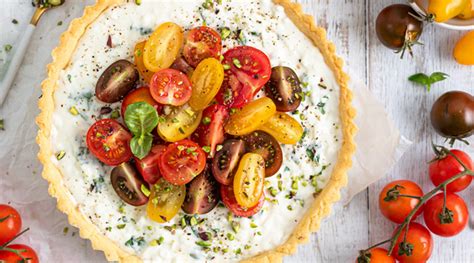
(179, 123)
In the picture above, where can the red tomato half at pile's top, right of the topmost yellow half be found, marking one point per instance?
(202, 42)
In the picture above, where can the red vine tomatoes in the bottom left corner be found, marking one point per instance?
(10, 227)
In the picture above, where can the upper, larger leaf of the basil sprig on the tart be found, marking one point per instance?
(141, 118)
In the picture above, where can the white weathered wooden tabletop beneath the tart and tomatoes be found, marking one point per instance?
(350, 24)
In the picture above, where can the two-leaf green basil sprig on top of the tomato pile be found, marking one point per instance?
(141, 118)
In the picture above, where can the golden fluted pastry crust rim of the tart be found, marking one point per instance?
(311, 220)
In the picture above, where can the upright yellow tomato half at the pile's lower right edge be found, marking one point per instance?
(248, 180)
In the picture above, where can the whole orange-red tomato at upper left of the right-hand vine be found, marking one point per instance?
(397, 209)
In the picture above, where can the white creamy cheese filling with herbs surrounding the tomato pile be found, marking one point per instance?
(306, 166)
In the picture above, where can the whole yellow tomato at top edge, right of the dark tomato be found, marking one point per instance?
(443, 10)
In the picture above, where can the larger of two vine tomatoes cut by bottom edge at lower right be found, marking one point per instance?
(422, 242)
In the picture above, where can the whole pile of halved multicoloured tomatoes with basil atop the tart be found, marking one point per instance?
(195, 132)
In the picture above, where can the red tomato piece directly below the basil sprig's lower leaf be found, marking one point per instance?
(148, 166)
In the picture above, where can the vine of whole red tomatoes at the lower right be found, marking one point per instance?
(445, 213)
